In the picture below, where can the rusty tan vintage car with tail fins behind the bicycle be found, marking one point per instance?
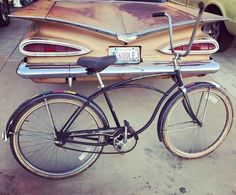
(63, 31)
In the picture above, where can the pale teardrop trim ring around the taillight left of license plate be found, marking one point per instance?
(25, 42)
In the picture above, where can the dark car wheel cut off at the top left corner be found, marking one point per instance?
(4, 11)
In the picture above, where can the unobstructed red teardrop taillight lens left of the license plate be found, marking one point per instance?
(40, 47)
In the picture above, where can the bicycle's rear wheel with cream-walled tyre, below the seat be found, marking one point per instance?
(33, 142)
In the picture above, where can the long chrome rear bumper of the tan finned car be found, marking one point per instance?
(72, 71)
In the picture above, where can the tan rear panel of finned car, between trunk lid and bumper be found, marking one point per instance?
(99, 43)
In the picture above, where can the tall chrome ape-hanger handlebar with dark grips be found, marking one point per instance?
(170, 28)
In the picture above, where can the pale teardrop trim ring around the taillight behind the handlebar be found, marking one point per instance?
(167, 50)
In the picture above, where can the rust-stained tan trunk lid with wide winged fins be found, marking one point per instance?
(130, 17)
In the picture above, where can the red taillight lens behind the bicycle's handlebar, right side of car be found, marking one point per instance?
(196, 47)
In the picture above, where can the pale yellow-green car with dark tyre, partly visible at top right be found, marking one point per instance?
(222, 32)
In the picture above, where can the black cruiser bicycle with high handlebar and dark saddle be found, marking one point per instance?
(60, 134)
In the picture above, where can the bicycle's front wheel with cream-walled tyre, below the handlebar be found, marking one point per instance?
(184, 137)
